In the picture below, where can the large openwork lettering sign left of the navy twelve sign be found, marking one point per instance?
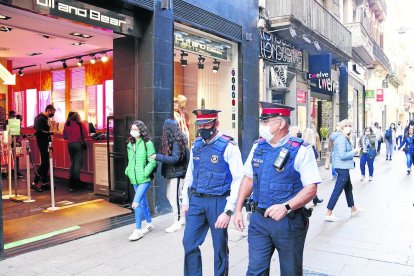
(277, 50)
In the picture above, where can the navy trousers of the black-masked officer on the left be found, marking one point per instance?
(202, 215)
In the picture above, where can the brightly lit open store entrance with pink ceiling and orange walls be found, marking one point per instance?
(69, 65)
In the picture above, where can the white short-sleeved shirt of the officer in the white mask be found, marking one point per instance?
(305, 163)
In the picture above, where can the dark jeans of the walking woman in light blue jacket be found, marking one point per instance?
(343, 183)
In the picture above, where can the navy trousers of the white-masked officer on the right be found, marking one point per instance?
(287, 236)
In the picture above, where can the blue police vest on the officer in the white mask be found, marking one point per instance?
(270, 185)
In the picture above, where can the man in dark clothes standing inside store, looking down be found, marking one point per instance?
(43, 137)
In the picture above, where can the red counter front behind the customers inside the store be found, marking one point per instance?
(61, 160)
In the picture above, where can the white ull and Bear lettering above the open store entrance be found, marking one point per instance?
(84, 13)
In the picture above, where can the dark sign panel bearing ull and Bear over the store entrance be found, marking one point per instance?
(81, 12)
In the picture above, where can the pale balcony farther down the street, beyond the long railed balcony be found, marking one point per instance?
(361, 43)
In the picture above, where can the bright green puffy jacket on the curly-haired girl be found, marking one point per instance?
(140, 163)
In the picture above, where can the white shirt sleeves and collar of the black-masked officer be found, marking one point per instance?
(232, 156)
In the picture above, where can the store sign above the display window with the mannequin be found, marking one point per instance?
(184, 40)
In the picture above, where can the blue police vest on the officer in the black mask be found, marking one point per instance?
(211, 173)
